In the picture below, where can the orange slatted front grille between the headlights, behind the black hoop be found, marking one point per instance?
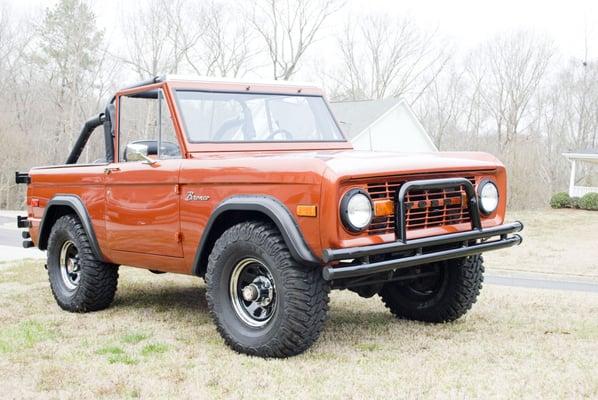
(424, 208)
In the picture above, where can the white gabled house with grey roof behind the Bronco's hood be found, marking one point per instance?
(382, 125)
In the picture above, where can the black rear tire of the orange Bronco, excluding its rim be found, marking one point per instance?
(98, 280)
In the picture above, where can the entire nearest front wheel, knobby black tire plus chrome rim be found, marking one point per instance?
(262, 301)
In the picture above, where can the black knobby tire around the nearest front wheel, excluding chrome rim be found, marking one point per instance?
(301, 293)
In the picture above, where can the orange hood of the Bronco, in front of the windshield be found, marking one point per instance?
(310, 166)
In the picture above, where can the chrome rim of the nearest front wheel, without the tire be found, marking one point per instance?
(252, 292)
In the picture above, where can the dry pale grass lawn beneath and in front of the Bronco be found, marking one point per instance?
(157, 341)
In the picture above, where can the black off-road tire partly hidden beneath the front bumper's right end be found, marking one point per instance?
(459, 288)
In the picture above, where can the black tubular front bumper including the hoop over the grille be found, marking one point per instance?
(409, 253)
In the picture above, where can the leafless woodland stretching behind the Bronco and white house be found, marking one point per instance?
(515, 95)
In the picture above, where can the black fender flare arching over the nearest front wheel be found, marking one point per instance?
(273, 209)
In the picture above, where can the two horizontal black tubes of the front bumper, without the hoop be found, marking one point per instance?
(466, 249)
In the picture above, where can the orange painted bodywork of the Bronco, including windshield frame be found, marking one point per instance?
(147, 216)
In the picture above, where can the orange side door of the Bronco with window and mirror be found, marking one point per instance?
(142, 200)
